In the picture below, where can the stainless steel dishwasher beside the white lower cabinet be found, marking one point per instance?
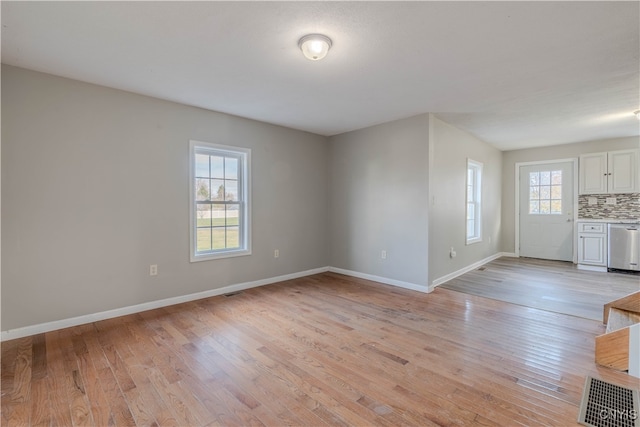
(624, 246)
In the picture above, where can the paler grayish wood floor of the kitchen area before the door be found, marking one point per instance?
(548, 285)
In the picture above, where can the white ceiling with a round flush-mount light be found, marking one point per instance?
(515, 74)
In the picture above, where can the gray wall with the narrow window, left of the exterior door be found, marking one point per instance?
(450, 149)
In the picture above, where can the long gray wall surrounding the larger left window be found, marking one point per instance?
(94, 190)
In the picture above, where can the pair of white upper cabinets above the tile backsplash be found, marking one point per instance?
(612, 172)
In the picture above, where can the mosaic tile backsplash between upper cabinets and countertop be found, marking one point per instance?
(627, 206)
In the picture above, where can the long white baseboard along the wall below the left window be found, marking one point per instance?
(109, 314)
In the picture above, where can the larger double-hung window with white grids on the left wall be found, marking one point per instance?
(219, 201)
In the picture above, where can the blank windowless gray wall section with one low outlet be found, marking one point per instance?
(379, 200)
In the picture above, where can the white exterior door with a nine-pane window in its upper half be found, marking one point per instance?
(546, 211)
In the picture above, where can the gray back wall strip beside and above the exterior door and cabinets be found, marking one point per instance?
(566, 151)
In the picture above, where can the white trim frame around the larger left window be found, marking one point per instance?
(245, 243)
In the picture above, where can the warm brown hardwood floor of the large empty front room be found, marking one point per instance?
(321, 350)
